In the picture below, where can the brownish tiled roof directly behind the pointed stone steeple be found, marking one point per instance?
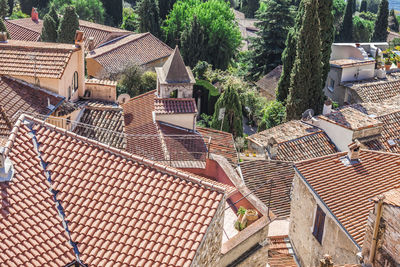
(139, 49)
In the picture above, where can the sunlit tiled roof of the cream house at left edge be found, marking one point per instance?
(18, 58)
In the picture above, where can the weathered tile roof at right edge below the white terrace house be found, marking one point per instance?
(377, 91)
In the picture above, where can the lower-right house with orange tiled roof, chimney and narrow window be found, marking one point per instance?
(330, 202)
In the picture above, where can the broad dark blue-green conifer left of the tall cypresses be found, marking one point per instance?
(267, 48)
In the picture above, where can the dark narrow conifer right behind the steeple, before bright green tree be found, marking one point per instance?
(192, 43)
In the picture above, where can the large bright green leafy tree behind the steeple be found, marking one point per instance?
(222, 36)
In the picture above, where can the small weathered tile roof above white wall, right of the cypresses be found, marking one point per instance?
(351, 118)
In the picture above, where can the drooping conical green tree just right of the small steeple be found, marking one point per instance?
(232, 121)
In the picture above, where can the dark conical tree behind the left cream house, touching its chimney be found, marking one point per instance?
(68, 26)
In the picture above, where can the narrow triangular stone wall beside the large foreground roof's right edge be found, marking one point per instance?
(209, 251)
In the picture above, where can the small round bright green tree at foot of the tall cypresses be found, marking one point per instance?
(273, 114)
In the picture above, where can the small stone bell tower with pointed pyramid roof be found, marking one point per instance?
(174, 79)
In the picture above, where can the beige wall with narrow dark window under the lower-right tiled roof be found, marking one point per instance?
(335, 242)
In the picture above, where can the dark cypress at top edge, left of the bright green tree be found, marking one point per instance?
(149, 20)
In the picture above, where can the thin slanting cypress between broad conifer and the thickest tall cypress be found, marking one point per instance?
(288, 57)
